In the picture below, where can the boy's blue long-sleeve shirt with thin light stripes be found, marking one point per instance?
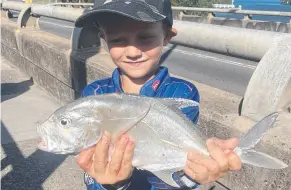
(164, 86)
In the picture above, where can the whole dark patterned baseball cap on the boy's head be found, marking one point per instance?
(140, 10)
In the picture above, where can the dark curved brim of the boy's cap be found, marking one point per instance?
(137, 10)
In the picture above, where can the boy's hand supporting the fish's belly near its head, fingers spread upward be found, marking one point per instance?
(95, 160)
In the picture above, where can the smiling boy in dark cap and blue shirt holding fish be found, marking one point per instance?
(135, 32)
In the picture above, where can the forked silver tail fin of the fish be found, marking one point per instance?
(248, 141)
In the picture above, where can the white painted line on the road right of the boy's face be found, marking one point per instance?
(215, 59)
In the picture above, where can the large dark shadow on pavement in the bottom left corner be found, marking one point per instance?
(27, 172)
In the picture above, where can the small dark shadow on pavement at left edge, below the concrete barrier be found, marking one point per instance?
(12, 90)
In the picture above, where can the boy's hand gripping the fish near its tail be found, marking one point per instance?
(204, 169)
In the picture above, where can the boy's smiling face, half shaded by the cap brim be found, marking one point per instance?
(135, 47)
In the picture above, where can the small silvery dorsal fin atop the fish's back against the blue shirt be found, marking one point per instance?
(178, 103)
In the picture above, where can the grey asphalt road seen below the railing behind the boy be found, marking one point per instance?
(220, 71)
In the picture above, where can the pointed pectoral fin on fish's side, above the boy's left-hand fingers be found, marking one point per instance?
(119, 126)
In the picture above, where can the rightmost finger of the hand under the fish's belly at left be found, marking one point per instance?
(126, 165)
